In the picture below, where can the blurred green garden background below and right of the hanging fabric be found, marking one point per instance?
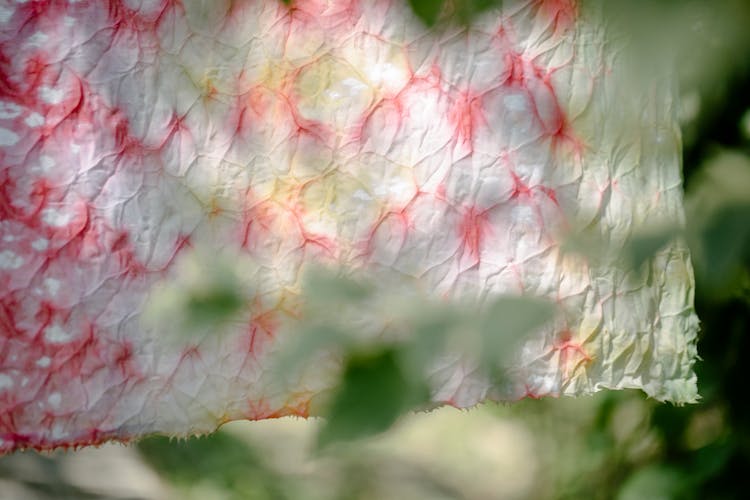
(613, 445)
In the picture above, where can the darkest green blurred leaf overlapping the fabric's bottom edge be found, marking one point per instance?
(374, 392)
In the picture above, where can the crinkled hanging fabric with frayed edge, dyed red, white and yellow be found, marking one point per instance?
(135, 135)
